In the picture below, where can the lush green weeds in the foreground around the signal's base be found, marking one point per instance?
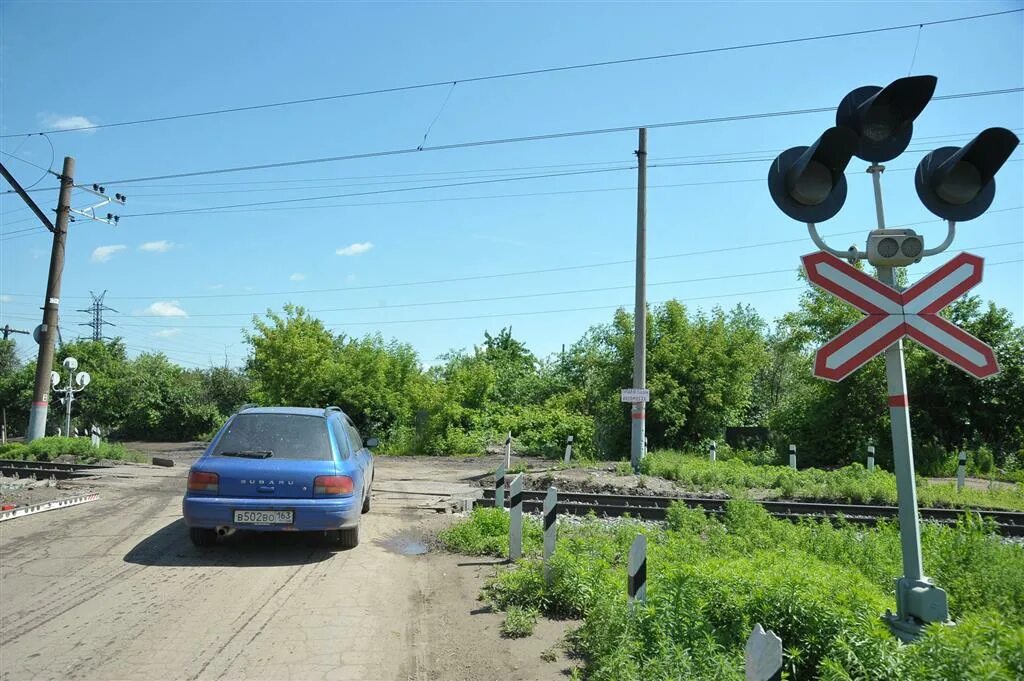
(821, 587)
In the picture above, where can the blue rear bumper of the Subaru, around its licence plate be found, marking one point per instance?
(311, 515)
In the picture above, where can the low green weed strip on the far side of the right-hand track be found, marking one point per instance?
(852, 485)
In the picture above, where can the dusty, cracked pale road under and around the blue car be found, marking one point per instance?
(114, 590)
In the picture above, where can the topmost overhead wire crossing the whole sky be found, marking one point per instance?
(520, 74)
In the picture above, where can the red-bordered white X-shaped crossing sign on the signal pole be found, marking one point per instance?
(892, 315)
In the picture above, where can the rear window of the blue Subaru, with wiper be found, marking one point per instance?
(286, 436)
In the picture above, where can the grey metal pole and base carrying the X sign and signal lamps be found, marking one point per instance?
(915, 594)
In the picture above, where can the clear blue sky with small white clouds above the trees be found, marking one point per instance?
(187, 284)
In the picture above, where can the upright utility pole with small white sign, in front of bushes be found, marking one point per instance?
(638, 413)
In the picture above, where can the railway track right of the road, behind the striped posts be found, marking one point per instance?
(1010, 524)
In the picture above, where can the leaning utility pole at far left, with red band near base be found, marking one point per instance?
(45, 364)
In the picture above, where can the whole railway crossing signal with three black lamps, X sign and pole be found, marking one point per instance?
(956, 184)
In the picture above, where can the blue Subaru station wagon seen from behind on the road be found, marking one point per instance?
(281, 470)
